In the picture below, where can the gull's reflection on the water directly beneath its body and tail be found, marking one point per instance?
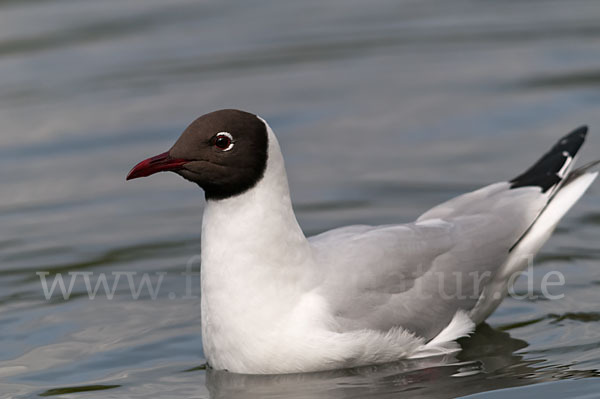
(487, 361)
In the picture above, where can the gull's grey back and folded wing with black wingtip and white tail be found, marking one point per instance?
(457, 256)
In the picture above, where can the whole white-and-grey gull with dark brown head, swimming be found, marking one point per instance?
(274, 301)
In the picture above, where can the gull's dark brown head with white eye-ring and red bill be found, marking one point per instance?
(224, 152)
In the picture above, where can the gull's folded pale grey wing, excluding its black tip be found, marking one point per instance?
(418, 275)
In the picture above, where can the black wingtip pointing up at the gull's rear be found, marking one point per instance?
(545, 173)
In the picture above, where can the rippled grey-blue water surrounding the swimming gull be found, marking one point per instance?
(383, 109)
